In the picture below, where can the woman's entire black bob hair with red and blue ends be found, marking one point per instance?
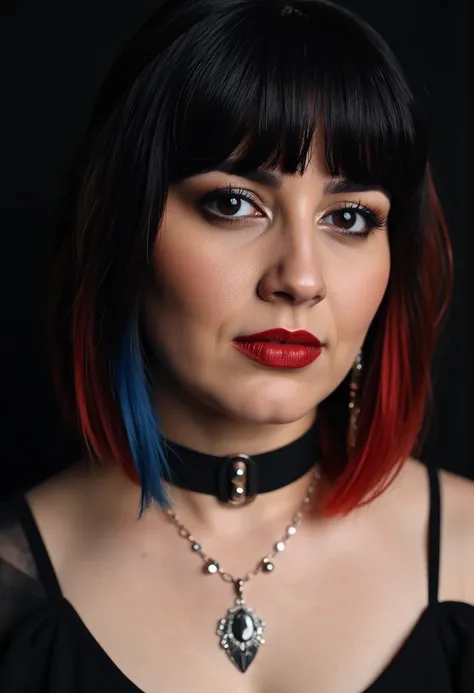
(202, 81)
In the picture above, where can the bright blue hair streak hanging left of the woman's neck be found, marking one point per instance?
(140, 419)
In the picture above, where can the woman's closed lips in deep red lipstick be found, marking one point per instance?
(280, 348)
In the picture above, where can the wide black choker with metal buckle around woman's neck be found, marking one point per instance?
(237, 479)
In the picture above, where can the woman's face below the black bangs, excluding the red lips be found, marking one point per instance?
(263, 253)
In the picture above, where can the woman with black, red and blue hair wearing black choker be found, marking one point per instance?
(247, 287)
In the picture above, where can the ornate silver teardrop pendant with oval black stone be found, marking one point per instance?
(241, 632)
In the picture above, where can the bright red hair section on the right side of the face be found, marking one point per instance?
(397, 389)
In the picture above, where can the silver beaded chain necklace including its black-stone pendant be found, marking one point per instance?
(241, 630)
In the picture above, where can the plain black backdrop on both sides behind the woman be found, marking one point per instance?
(53, 59)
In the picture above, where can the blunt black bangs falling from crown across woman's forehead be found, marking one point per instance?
(282, 82)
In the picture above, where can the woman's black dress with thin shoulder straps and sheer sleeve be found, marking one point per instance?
(46, 648)
